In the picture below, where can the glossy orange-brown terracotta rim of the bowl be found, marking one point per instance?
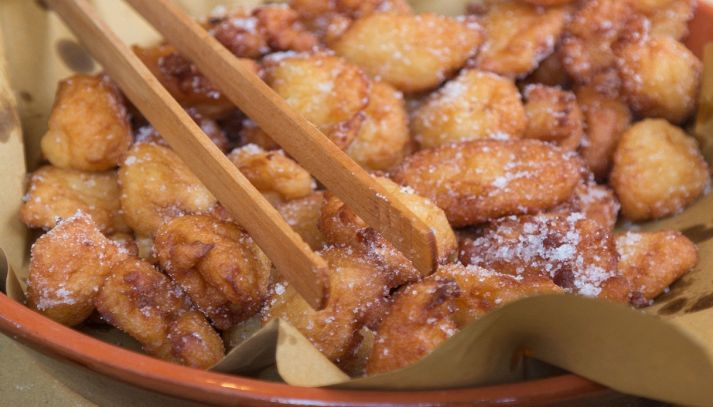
(60, 342)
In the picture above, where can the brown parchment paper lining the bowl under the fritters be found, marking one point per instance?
(663, 352)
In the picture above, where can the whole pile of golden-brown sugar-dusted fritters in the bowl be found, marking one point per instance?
(518, 132)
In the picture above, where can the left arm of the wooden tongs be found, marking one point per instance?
(291, 256)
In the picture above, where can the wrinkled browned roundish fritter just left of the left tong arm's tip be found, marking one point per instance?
(217, 264)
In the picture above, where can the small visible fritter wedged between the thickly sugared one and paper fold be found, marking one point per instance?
(481, 290)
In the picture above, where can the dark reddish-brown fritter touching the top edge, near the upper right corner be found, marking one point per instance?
(586, 48)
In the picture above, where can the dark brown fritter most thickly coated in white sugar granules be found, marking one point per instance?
(575, 252)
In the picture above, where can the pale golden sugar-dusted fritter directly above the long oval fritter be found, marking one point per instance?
(475, 105)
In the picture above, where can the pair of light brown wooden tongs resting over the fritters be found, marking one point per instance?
(312, 149)
